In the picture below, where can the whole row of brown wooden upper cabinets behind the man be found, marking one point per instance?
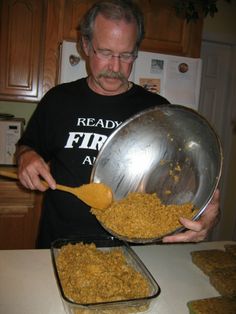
(31, 32)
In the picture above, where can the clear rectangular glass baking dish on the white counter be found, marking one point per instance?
(138, 305)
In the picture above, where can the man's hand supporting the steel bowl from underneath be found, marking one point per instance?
(198, 230)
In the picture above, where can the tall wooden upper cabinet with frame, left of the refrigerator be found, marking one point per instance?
(31, 31)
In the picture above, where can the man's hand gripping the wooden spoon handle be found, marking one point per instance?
(32, 168)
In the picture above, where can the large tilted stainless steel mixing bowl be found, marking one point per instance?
(169, 148)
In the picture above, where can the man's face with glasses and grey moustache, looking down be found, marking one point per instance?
(110, 76)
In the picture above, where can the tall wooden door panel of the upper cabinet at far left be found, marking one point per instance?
(21, 49)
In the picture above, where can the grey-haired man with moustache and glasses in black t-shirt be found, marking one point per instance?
(73, 120)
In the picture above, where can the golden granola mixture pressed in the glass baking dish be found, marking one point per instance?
(90, 275)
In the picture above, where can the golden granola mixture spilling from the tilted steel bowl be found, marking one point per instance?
(143, 216)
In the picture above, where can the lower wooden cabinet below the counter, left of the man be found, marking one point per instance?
(19, 216)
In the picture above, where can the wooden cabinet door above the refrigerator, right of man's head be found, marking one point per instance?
(168, 33)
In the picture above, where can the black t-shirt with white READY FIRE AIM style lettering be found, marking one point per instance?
(68, 128)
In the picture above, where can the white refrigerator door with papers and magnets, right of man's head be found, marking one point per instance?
(176, 78)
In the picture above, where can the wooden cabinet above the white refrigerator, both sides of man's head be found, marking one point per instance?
(165, 32)
